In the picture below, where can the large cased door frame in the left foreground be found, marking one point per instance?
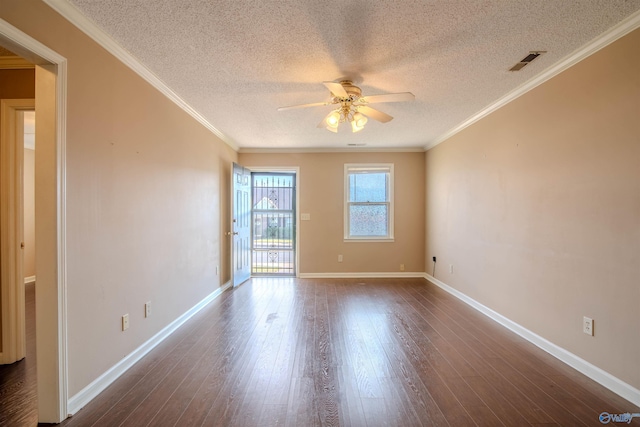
(51, 300)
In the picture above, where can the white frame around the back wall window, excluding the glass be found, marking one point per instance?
(350, 168)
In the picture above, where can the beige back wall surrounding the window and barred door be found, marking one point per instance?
(321, 195)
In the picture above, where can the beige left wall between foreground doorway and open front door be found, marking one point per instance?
(147, 191)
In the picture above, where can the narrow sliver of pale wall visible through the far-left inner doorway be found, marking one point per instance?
(29, 214)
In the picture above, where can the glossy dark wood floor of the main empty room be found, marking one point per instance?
(396, 352)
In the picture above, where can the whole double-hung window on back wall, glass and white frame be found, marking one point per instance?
(368, 202)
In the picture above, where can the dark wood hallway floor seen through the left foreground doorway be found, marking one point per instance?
(18, 395)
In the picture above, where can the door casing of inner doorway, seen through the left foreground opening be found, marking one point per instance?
(12, 229)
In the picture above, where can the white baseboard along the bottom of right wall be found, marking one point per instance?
(602, 377)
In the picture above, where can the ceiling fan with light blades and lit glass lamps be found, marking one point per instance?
(352, 107)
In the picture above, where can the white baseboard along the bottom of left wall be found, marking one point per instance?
(79, 400)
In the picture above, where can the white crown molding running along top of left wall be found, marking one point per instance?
(73, 15)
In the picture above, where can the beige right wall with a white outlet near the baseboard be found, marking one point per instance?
(538, 208)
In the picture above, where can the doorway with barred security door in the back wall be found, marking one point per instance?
(273, 248)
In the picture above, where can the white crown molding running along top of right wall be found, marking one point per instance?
(621, 29)
